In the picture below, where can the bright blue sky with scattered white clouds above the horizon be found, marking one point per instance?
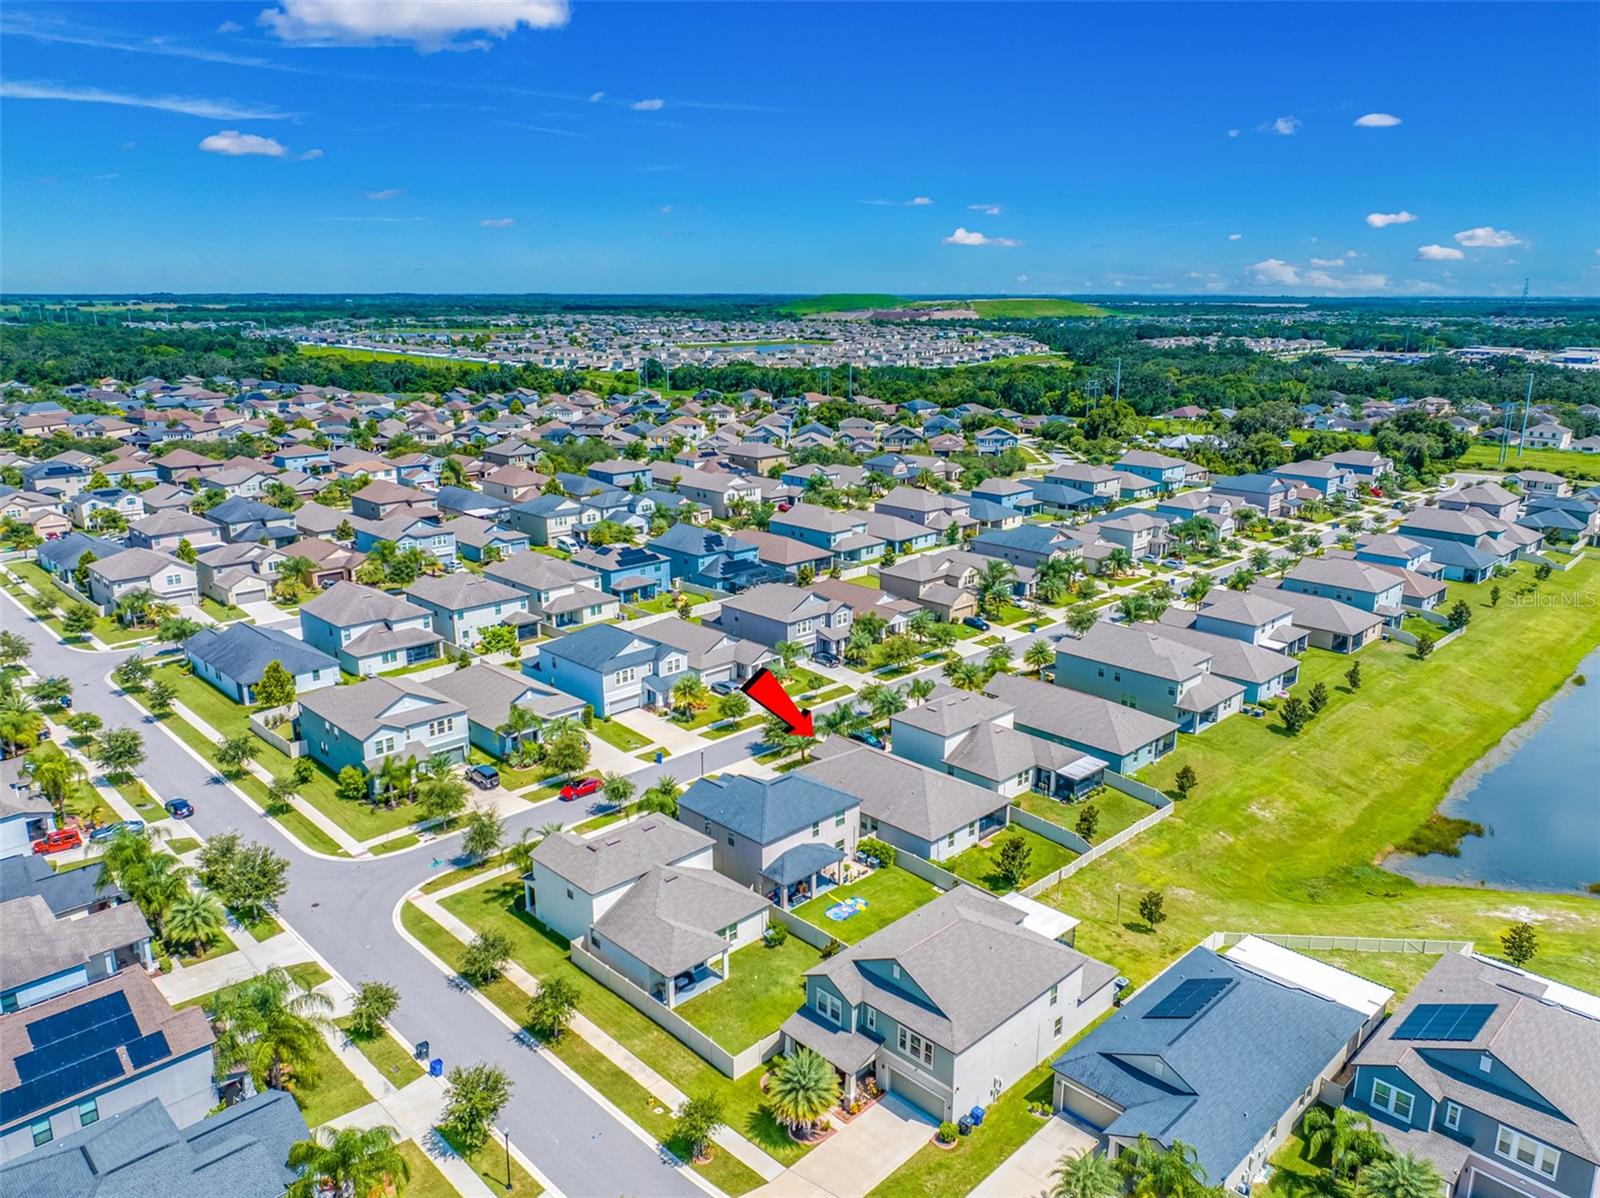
(922, 150)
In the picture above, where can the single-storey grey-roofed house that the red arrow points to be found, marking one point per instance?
(911, 807)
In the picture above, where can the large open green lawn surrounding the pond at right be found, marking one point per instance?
(1284, 834)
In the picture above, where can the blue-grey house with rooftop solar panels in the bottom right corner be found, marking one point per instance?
(1489, 1072)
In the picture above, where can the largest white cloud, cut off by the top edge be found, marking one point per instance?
(425, 25)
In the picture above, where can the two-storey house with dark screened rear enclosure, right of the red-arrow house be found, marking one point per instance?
(975, 738)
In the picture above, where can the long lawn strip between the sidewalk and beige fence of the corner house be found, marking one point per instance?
(498, 906)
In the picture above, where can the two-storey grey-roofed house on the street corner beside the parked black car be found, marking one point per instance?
(378, 719)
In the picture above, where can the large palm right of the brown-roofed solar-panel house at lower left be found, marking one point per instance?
(273, 1026)
